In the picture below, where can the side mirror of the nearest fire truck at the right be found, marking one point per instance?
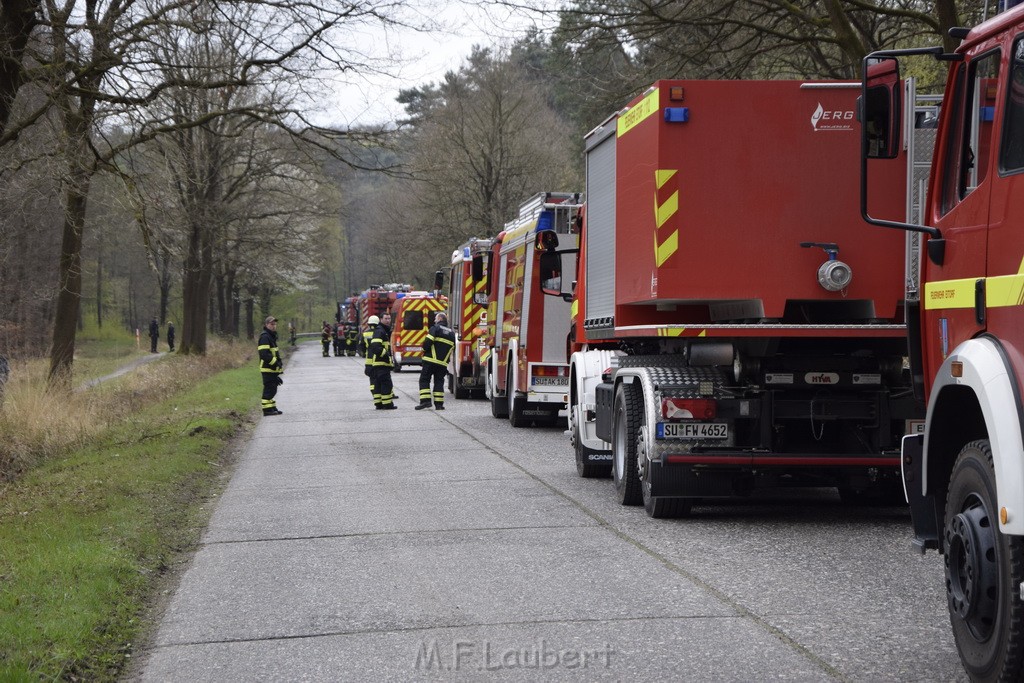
(880, 110)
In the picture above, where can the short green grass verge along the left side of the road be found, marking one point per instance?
(84, 538)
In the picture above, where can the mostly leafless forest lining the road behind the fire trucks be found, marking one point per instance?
(159, 159)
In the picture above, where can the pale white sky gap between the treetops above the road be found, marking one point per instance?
(419, 58)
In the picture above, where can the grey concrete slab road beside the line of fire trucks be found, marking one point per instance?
(361, 545)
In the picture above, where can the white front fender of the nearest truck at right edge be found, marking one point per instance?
(988, 374)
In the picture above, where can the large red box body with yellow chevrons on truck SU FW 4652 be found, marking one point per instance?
(710, 212)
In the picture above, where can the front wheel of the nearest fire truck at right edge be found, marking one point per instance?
(985, 569)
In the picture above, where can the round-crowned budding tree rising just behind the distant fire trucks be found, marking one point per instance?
(487, 140)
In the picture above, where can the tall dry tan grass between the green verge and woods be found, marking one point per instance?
(36, 423)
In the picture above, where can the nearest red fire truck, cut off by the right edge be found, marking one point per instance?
(965, 475)
